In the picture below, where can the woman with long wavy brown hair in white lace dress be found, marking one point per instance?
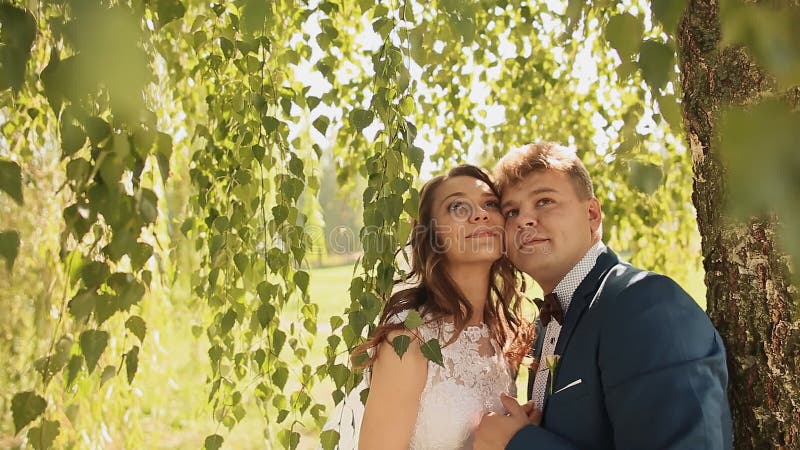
(466, 295)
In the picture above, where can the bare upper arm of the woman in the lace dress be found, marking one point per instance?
(394, 394)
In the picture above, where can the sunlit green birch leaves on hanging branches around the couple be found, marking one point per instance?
(185, 144)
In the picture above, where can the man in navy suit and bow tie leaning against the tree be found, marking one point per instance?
(627, 359)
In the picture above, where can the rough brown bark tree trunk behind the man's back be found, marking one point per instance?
(751, 298)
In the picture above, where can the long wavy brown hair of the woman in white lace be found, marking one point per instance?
(435, 293)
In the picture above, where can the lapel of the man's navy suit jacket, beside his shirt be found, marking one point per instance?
(581, 298)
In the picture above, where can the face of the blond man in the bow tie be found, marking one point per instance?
(549, 227)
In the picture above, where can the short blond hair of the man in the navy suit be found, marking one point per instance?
(521, 162)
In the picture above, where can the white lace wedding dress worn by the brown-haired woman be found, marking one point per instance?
(456, 396)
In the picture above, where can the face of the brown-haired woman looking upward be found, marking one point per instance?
(467, 220)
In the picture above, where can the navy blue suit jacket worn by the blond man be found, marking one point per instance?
(650, 363)
